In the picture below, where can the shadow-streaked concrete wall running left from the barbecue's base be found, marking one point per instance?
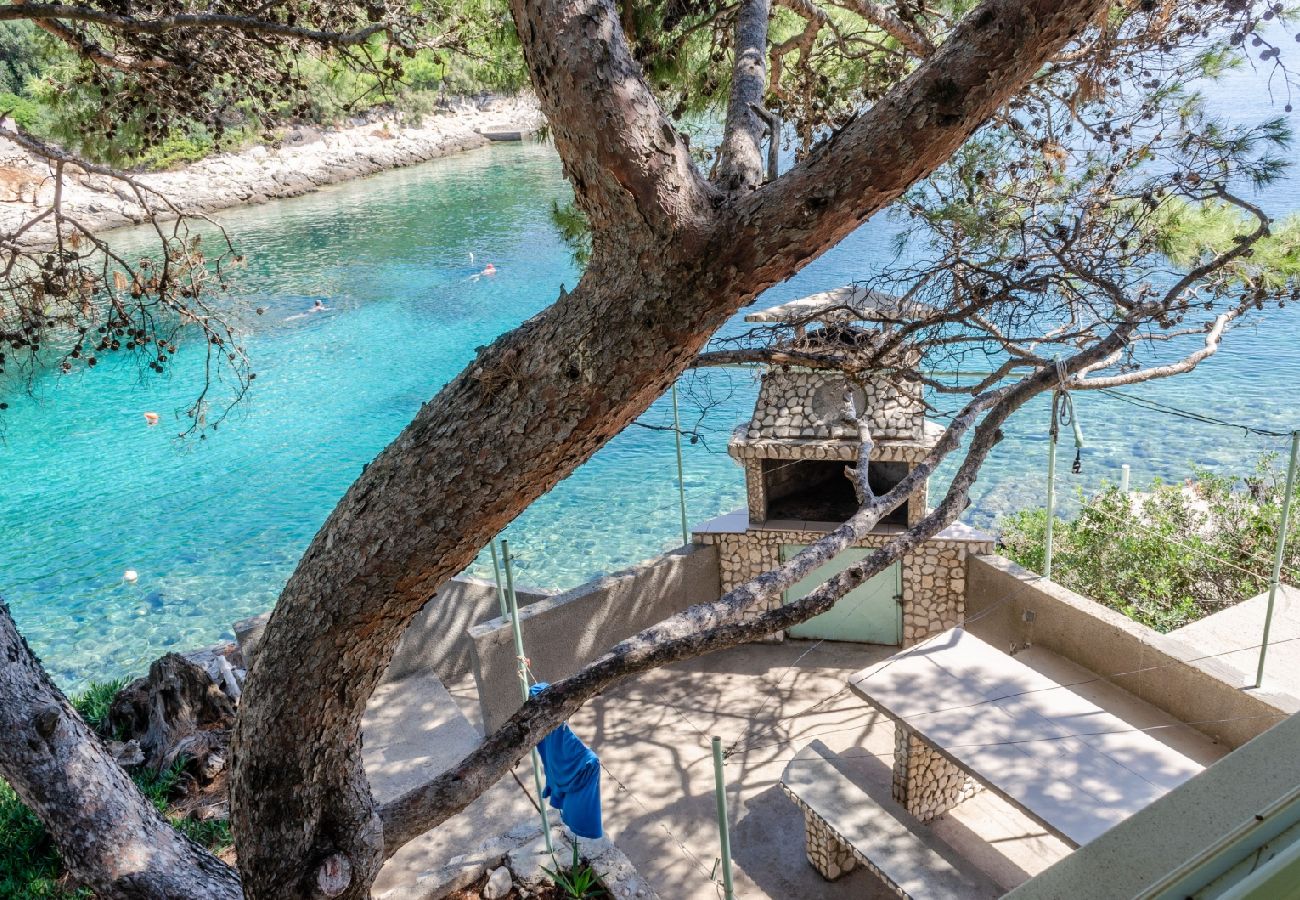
(565, 633)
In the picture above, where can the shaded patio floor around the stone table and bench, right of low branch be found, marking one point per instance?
(655, 735)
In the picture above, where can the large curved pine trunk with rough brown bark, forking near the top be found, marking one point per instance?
(671, 262)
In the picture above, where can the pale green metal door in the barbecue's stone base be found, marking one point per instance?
(869, 615)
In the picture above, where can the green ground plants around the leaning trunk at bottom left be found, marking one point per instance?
(31, 868)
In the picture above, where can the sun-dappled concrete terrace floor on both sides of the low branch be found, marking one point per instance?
(653, 735)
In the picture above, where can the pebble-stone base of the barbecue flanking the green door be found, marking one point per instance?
(934, 576)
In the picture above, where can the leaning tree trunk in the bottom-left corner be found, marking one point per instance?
(111, 838)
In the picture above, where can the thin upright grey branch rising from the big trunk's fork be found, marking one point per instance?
(740, 165)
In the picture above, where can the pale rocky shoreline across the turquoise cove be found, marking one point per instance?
(302, 161)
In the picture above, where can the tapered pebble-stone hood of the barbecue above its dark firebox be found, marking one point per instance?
(811, 405)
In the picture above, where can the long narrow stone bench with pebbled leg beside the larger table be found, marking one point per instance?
(852, 821)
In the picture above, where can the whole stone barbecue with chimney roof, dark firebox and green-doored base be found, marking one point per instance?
(796, 451)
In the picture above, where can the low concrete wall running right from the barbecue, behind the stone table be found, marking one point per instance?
(1012, 608)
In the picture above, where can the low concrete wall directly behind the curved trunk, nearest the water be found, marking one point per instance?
(436, 639)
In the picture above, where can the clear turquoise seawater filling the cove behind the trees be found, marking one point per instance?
(215, 527)
